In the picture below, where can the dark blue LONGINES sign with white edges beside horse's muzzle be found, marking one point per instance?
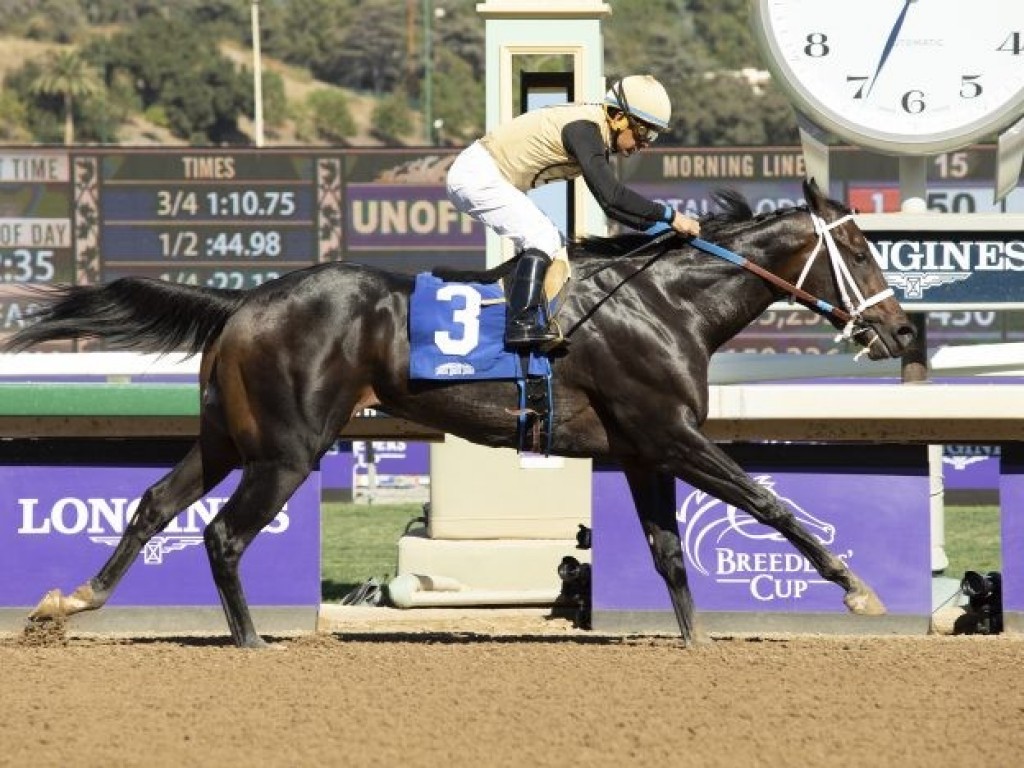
(948, 262)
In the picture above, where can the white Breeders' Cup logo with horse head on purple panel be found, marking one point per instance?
(728, 544)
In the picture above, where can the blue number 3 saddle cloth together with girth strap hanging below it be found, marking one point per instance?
(456, 333)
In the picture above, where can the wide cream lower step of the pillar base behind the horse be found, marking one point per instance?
(509, 566)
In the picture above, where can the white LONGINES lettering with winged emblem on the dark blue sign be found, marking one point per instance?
(917, 266)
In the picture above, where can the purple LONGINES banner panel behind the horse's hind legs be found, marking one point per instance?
(60, 524)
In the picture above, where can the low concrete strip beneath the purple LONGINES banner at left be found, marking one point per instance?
(173, 620)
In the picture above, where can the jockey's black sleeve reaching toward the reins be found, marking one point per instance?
(583, 142)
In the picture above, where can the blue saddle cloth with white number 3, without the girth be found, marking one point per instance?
(456, 333)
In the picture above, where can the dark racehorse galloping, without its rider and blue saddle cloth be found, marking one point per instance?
(286, 366)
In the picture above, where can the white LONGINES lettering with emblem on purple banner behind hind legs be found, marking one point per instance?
(104, 521)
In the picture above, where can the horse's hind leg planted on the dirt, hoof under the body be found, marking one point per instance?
(264, 490)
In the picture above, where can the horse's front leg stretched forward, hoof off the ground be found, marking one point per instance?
(706, 466)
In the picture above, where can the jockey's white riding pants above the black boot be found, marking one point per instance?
(478, 189)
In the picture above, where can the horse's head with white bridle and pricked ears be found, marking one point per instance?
(838, 268)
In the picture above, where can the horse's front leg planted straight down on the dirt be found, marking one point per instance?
(654, 495)
